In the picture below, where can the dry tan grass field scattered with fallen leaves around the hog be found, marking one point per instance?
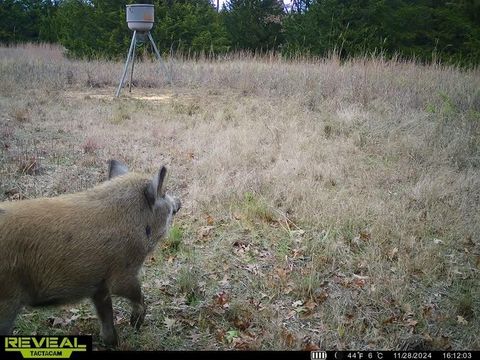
(326, 204)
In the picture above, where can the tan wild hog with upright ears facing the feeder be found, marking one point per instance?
(90, 244)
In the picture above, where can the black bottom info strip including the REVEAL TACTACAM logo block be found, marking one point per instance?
(80, 347)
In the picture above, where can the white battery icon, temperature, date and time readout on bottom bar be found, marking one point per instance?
(393, 355)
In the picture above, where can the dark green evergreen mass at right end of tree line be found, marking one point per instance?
(425, 30)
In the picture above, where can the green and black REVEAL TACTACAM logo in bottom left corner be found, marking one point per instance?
(51, 347)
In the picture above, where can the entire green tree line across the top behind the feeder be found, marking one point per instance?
(425, 30)
